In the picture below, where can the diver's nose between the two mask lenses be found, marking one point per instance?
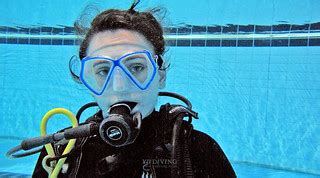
(120, 81)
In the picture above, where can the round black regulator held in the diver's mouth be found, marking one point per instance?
(120, 128)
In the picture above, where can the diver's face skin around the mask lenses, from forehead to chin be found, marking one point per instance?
(114, 44)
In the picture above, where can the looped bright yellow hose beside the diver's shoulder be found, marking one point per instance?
(43, 131)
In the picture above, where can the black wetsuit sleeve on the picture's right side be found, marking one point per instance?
(208, 158)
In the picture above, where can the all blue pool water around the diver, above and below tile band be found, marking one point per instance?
(262, 104)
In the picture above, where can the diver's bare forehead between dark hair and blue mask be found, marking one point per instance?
(115, 43)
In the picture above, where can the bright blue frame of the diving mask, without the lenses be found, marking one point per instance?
(116, 62)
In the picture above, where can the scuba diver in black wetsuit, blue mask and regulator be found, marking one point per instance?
(122, 67)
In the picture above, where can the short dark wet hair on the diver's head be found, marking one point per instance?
(142, 22)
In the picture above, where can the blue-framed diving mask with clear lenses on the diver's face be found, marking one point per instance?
(139, 67)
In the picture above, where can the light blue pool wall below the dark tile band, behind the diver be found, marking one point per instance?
(240, 100)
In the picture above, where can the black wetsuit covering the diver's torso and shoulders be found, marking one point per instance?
(148, 155)
